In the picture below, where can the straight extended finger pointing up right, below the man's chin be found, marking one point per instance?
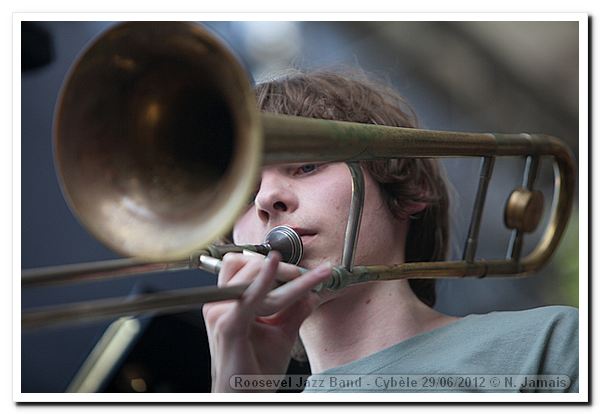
(290, 292)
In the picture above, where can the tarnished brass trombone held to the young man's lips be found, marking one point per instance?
(158, 145)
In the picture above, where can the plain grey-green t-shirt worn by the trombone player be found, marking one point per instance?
(485, 349)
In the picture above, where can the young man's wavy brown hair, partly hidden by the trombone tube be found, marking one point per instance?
(354, 96)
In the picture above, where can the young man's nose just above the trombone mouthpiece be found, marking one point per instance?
(275, 196)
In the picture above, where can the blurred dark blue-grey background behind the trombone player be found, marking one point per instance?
(460, 76)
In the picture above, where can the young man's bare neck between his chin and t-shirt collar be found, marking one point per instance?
(364, 319)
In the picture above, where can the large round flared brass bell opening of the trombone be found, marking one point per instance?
(157, 139)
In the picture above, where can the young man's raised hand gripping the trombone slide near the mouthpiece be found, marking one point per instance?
(255, 334)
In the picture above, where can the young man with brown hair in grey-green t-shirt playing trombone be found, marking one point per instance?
(384, 328)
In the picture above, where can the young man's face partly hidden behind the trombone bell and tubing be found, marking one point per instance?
(314, 199)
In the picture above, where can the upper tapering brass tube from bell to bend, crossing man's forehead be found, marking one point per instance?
(295, 139)
